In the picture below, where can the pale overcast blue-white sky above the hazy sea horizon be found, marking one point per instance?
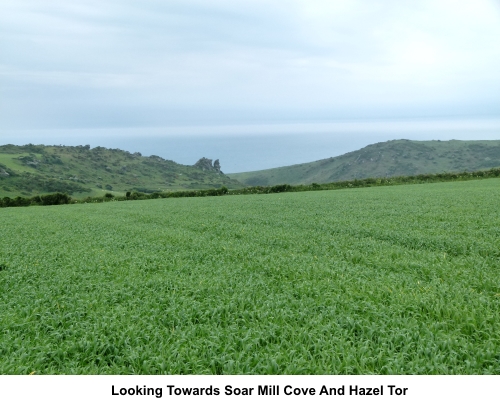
(155, 63)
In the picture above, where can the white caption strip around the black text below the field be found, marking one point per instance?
(98, 389)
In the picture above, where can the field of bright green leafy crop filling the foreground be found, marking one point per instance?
(386, 280)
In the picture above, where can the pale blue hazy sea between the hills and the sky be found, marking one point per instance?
(255, 147)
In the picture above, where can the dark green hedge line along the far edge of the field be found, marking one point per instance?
(61, 198)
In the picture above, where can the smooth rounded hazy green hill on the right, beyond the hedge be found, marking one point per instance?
(384, 159)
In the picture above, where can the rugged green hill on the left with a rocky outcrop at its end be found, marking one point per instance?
(82, 171)
